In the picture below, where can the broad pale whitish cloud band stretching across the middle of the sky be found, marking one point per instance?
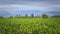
(30, 6)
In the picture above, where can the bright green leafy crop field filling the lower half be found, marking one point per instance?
(29, 25)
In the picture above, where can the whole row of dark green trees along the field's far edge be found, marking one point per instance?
(32, 16)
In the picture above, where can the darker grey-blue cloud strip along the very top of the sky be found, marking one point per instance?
(25, 1)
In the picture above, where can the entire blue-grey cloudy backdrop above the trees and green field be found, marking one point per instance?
(37, 7)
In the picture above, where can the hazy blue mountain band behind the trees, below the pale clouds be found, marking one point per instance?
(28, 12)
